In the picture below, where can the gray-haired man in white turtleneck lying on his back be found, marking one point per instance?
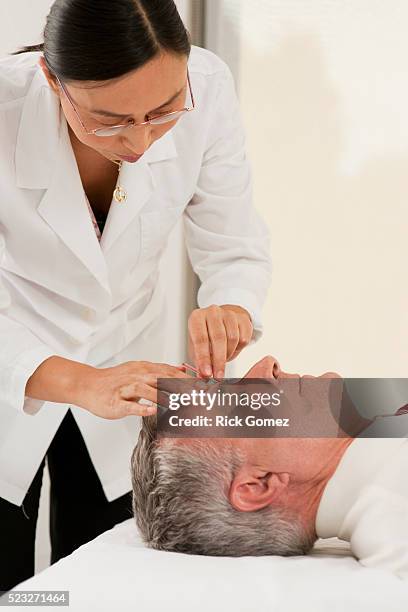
(269, 496)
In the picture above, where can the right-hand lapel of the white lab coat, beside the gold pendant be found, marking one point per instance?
(138, 180)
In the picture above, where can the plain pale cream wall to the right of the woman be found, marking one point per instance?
(324, 95)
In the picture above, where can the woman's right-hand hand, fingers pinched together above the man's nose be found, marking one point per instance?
(218, 334)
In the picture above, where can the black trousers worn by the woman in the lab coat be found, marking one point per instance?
(79, 510)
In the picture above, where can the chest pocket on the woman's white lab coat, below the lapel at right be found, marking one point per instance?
(155, 229)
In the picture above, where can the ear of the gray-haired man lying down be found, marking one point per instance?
(253, 489)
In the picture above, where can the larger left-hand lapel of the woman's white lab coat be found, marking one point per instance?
(45, 160)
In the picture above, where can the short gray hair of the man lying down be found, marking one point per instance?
(180, 502)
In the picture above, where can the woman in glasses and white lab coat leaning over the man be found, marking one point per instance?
(110, 132)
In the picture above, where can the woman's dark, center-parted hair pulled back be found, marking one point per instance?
(97, 40)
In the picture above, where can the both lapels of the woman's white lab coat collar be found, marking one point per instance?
(44, 159)
